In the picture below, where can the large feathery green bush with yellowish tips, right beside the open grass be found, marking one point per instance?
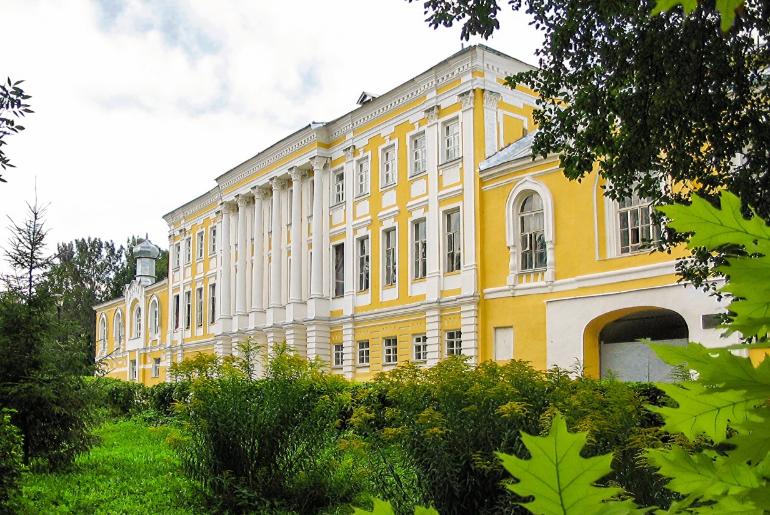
(271, 443)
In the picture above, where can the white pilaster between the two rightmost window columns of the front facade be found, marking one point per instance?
(432, 232)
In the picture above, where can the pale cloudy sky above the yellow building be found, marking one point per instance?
(139, 105)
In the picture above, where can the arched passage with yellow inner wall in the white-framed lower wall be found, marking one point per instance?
(611, 343)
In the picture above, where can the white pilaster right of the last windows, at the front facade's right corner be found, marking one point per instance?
(468, 228)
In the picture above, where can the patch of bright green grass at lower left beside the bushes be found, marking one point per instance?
(132, 470)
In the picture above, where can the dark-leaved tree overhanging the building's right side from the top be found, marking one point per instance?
(660, 104)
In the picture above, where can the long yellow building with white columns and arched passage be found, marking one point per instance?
(414, 227)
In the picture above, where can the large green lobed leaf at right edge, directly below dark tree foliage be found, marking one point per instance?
(713, 227)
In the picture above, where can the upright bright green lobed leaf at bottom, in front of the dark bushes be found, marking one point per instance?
(560, 480)
